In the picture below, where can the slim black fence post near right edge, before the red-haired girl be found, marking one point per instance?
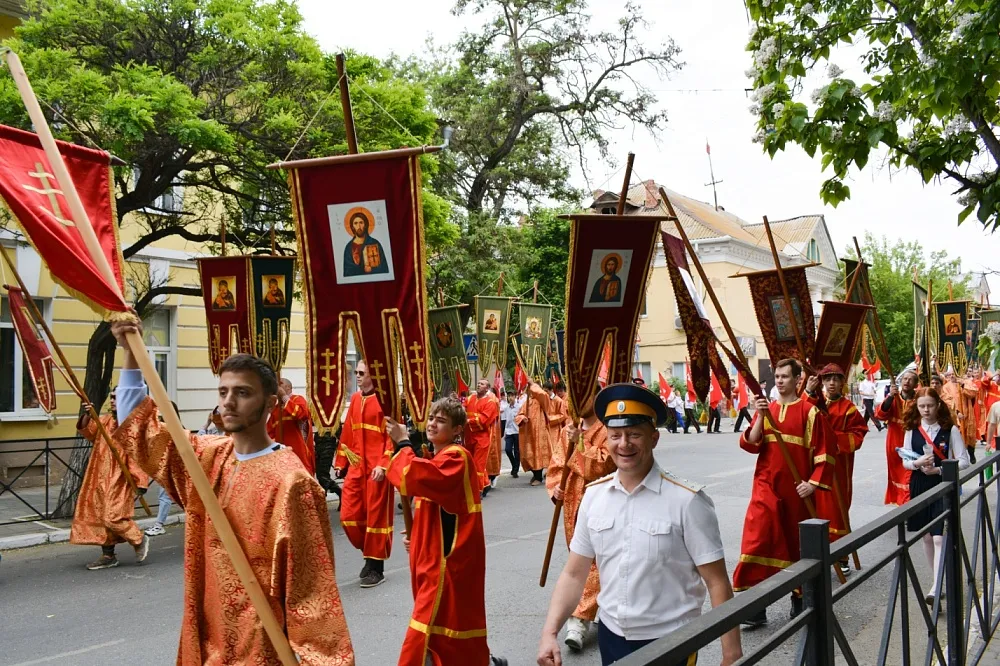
(955, 607)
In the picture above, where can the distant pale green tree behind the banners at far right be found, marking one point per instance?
(891, 273)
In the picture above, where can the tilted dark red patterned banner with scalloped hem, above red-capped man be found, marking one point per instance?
(773, 316)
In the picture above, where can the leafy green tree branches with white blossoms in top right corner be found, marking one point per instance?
(931, 101)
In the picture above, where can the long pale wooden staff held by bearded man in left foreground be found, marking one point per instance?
(159, 393)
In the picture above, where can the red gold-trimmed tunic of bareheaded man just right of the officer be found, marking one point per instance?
(771, 529)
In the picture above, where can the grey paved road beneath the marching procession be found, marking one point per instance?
(52, 610)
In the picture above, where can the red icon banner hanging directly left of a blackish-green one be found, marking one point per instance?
(225, 288)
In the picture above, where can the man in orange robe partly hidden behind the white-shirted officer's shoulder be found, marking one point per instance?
(589, 462)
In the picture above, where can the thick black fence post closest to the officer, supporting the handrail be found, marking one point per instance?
(817, 593)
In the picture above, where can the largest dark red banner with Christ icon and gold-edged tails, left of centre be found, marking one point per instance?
(361, 240)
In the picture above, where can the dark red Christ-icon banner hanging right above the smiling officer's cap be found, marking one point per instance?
(609, 262)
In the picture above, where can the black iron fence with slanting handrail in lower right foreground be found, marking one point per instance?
(967, 574)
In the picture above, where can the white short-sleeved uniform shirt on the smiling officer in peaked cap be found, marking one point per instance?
(648, 545)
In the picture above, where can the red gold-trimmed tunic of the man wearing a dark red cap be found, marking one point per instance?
(850, 429)
